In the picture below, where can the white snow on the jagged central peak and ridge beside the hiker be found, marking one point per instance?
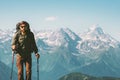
(58, 37)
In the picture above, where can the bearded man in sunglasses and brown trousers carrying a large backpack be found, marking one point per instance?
(23, 43)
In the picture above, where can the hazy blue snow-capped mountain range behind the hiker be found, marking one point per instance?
(62, 51)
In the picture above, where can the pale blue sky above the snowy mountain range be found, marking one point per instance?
(78, 15)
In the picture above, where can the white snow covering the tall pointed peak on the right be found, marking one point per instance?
(96, 39)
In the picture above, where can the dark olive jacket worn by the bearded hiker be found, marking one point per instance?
(24, 43)
